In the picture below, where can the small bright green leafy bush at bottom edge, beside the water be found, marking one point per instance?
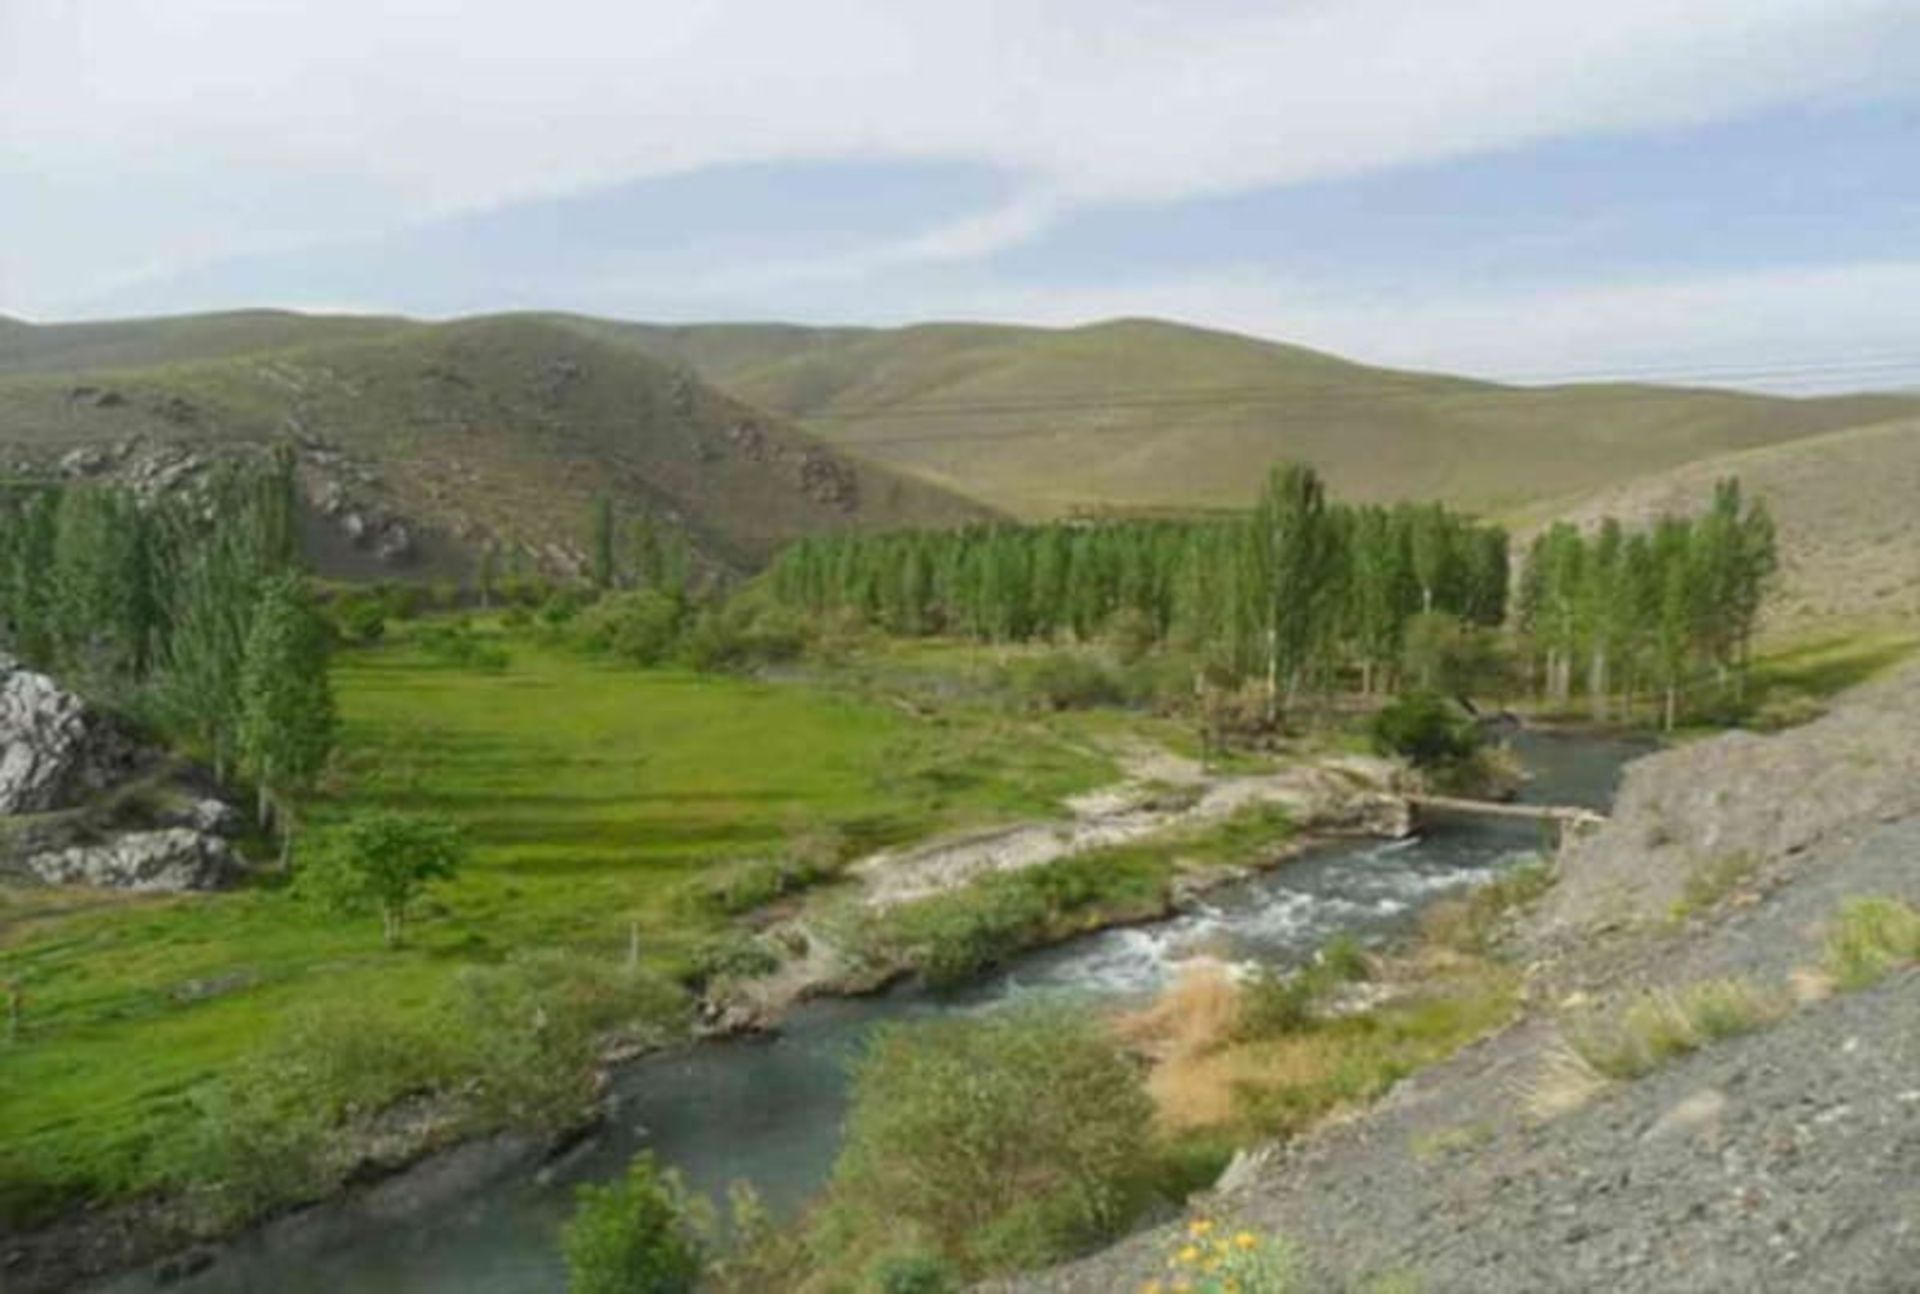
(633, 1237)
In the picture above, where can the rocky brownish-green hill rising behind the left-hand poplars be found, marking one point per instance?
(491, 429)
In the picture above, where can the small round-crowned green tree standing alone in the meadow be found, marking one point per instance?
(385, 861)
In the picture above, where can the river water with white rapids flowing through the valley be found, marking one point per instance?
(769, 1111)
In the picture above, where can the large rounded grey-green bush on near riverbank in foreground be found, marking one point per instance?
(994, 1141)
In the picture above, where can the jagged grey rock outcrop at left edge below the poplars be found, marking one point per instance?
(82, 803)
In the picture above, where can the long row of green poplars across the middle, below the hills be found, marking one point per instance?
(1285, 594)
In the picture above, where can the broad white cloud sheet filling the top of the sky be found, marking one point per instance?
(431, 107)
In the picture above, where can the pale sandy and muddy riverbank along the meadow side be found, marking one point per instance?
(1163, 803)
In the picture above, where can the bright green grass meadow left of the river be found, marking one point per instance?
(590, 794)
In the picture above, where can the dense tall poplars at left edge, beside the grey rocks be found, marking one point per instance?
(189, 613)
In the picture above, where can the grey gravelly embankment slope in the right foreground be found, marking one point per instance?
(1781, 1161)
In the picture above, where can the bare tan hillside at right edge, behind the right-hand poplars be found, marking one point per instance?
(1844, 504)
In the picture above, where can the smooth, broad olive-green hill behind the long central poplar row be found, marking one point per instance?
(1143, 414)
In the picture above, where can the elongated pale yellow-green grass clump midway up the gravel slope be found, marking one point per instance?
(1664, 1024)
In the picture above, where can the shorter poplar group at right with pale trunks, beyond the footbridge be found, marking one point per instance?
(1662, 615)
